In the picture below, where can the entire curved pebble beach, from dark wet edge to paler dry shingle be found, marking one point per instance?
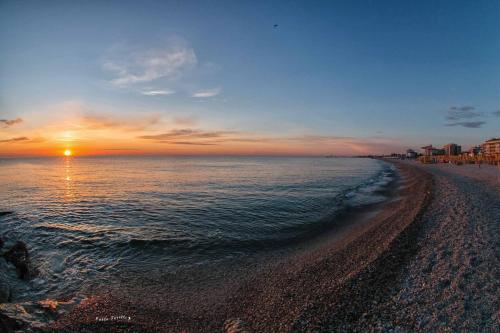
(425, 261)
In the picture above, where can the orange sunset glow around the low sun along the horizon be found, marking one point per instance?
(75, 123)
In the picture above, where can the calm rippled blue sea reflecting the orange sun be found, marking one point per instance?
(86, 220)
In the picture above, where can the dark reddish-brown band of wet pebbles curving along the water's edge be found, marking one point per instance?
(281, 291)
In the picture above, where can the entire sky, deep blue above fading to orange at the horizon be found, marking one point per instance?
(247, 77)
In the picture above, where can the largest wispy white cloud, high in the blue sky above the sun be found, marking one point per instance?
(136, 66)
